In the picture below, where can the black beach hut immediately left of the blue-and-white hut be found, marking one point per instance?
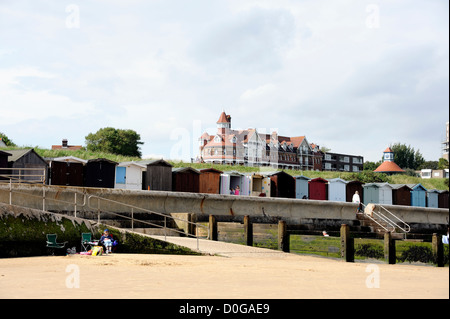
(100, 172)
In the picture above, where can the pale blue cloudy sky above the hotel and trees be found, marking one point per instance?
(353, 76)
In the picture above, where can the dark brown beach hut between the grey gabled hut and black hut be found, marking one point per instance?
(66, 171)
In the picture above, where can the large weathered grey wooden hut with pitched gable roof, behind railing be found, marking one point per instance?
(36, 167)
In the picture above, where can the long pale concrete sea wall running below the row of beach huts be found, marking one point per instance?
(303, 213)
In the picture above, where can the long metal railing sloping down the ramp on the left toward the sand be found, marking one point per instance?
(87, 202)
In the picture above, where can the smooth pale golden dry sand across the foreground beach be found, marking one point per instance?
(254, 276)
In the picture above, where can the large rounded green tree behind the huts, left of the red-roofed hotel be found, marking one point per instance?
(115, 141)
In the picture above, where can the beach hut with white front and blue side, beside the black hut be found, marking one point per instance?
(129, 175)
